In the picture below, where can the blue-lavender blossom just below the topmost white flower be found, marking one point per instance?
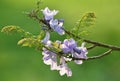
(57, 25)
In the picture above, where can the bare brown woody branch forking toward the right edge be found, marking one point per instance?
(94, 43)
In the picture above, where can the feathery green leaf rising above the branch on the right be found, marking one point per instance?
(82, 25)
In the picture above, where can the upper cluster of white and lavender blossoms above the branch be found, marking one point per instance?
(55, 24)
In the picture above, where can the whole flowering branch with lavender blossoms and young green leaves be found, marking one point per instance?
(67, 50)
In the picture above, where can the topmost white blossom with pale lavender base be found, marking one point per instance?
(48, 14)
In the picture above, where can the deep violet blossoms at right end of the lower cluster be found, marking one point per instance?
(70, 46)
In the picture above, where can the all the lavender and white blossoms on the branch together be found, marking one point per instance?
(68, 47)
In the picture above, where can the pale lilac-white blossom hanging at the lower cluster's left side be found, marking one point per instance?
(50, 58)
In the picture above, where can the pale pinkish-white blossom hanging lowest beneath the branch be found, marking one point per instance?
(63, 68)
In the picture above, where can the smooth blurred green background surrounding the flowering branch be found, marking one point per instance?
(25, 64)
